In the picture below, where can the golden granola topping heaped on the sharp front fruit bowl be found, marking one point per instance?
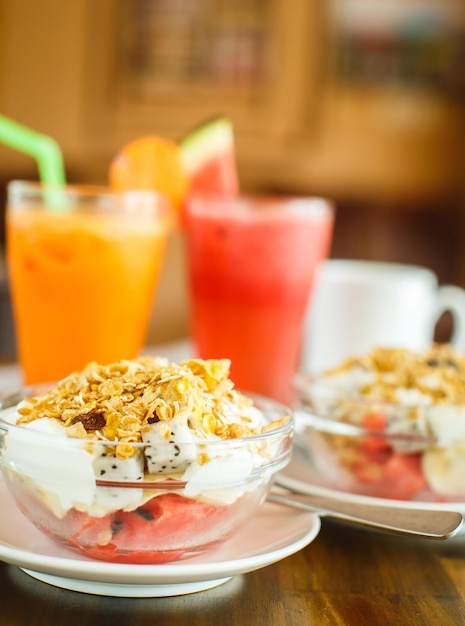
(120, 401)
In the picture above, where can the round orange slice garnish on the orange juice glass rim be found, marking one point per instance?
(150, 163)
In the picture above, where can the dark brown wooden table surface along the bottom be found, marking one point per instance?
(347, 576)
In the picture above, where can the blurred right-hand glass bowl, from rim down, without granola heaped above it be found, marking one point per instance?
(381, 449)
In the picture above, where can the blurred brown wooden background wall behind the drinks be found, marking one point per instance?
(361, 103)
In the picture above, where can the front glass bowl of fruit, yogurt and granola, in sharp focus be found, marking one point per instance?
(143, 461)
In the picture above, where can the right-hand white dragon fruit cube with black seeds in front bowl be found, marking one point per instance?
(169, 451)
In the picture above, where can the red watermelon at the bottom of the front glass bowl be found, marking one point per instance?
(166, 528)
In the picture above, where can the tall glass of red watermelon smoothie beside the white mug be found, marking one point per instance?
(251, 267)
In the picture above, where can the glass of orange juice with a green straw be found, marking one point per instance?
(83, 264)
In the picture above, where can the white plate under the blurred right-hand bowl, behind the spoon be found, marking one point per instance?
(301, 476)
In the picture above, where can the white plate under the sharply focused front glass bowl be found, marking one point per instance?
(273, 534)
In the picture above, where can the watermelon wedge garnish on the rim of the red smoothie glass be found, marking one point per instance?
(208, 157)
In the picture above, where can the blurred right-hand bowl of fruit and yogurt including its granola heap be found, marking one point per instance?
(390, 423)
